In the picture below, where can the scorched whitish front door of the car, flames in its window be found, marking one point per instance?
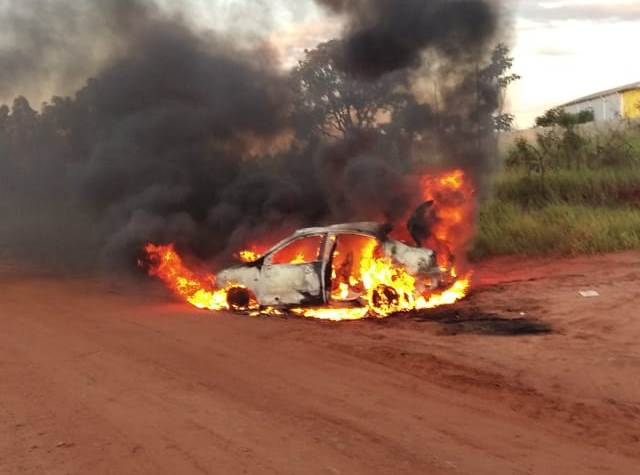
(293, 273)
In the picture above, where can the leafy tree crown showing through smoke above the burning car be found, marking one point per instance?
(335, 104)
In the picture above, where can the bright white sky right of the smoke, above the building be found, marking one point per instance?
(567, 49)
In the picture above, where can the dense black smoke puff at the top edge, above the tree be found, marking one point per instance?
(387, 35)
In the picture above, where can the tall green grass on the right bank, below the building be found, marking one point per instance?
(568, 211)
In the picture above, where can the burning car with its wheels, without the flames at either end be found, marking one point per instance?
(331, 265)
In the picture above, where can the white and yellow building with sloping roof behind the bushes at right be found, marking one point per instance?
(621, 102)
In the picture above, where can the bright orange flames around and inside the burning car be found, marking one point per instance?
(381, 286)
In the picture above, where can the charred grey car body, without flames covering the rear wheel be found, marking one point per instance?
(301, 269)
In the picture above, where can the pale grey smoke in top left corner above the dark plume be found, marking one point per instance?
(50, 45)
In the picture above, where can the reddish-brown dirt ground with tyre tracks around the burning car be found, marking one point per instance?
(526, 376)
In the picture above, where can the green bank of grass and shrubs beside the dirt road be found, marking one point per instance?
(569, 192)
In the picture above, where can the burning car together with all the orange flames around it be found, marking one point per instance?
(340, 272)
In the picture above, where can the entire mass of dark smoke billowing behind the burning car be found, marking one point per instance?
(192, 137)
